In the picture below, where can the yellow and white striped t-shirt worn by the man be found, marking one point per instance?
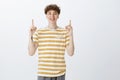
(51, 49)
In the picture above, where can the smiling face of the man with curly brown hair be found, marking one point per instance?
(52, 16)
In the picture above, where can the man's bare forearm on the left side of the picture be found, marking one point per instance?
(31, 47)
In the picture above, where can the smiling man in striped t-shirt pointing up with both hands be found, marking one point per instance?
(51, 42)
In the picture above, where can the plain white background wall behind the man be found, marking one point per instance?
(96, 25)
